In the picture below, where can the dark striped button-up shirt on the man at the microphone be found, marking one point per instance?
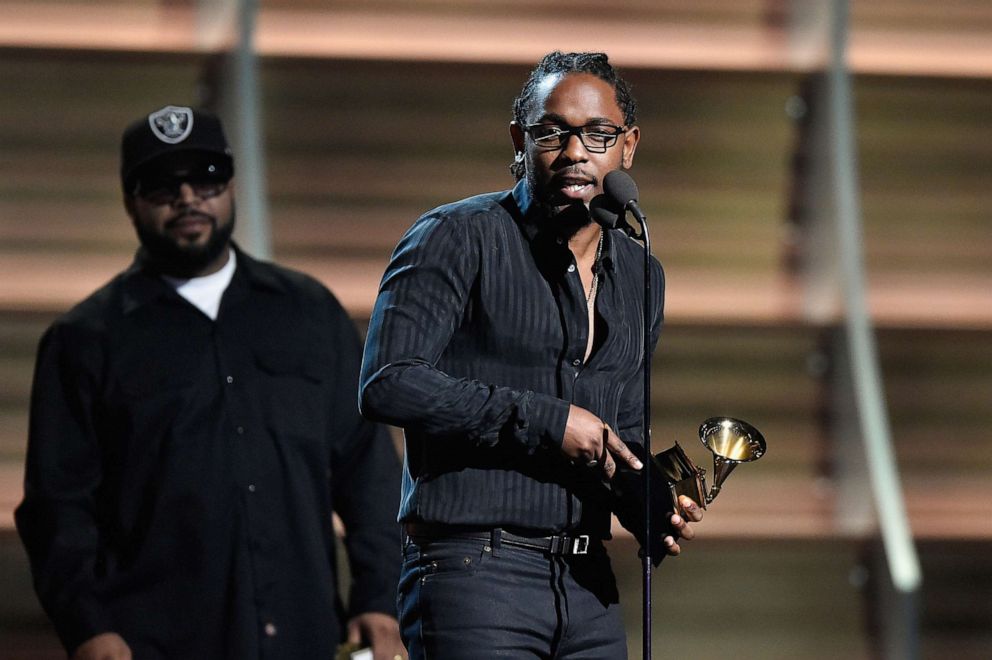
(476, 347)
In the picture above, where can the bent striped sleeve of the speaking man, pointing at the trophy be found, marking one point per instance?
(425, 293)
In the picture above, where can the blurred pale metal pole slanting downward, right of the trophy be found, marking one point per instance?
(869, 492)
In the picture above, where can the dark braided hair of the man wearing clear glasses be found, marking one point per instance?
(555, 63)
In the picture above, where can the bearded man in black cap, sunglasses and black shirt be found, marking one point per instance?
(193, 424)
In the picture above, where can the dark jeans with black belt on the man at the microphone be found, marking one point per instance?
(470, 599)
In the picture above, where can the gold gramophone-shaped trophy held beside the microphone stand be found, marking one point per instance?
(731, 441)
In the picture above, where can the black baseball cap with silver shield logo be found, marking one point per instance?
(160, 137)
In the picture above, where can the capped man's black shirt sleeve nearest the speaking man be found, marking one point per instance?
(365, 482)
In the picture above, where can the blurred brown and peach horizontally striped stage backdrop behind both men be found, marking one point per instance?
(357, 116)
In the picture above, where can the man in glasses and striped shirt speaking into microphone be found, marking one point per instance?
(507, 342)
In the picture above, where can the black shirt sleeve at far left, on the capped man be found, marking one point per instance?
(56, 519)
